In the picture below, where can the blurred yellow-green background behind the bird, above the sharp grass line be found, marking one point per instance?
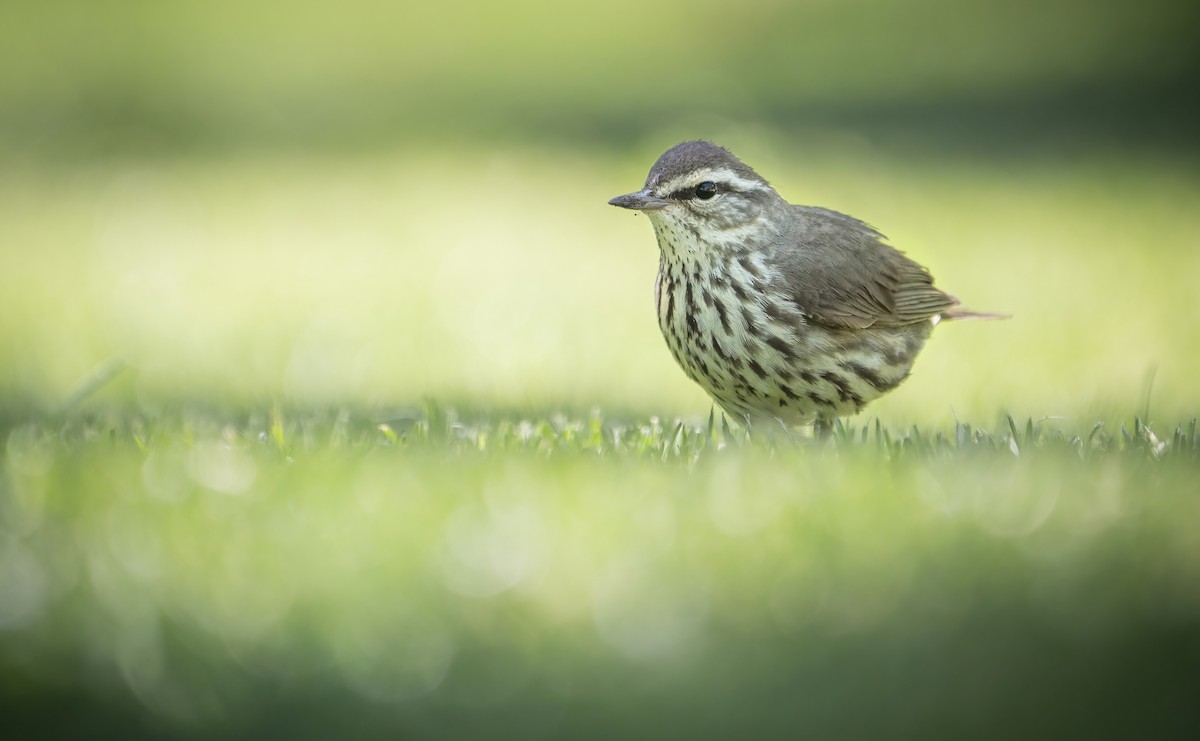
(383, 202)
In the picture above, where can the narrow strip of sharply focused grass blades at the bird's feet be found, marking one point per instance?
(433, 429)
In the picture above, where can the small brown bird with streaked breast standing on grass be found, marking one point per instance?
(782, 314)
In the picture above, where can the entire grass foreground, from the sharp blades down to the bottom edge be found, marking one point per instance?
(218, 573)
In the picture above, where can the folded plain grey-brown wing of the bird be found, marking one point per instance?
(842, 275)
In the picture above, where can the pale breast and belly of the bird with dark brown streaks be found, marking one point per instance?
(759, 358)
